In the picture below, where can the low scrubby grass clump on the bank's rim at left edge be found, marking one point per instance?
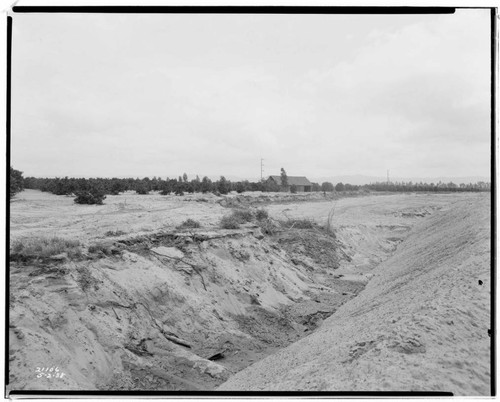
(43, 248)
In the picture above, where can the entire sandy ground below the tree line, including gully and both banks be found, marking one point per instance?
(366, 293)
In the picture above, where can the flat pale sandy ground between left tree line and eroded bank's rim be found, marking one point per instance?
(35, 213)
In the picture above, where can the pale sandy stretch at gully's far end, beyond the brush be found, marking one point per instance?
(369, 228)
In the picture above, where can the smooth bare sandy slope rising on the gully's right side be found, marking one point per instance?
(421, 323)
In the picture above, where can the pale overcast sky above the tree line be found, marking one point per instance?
(320, 95)
